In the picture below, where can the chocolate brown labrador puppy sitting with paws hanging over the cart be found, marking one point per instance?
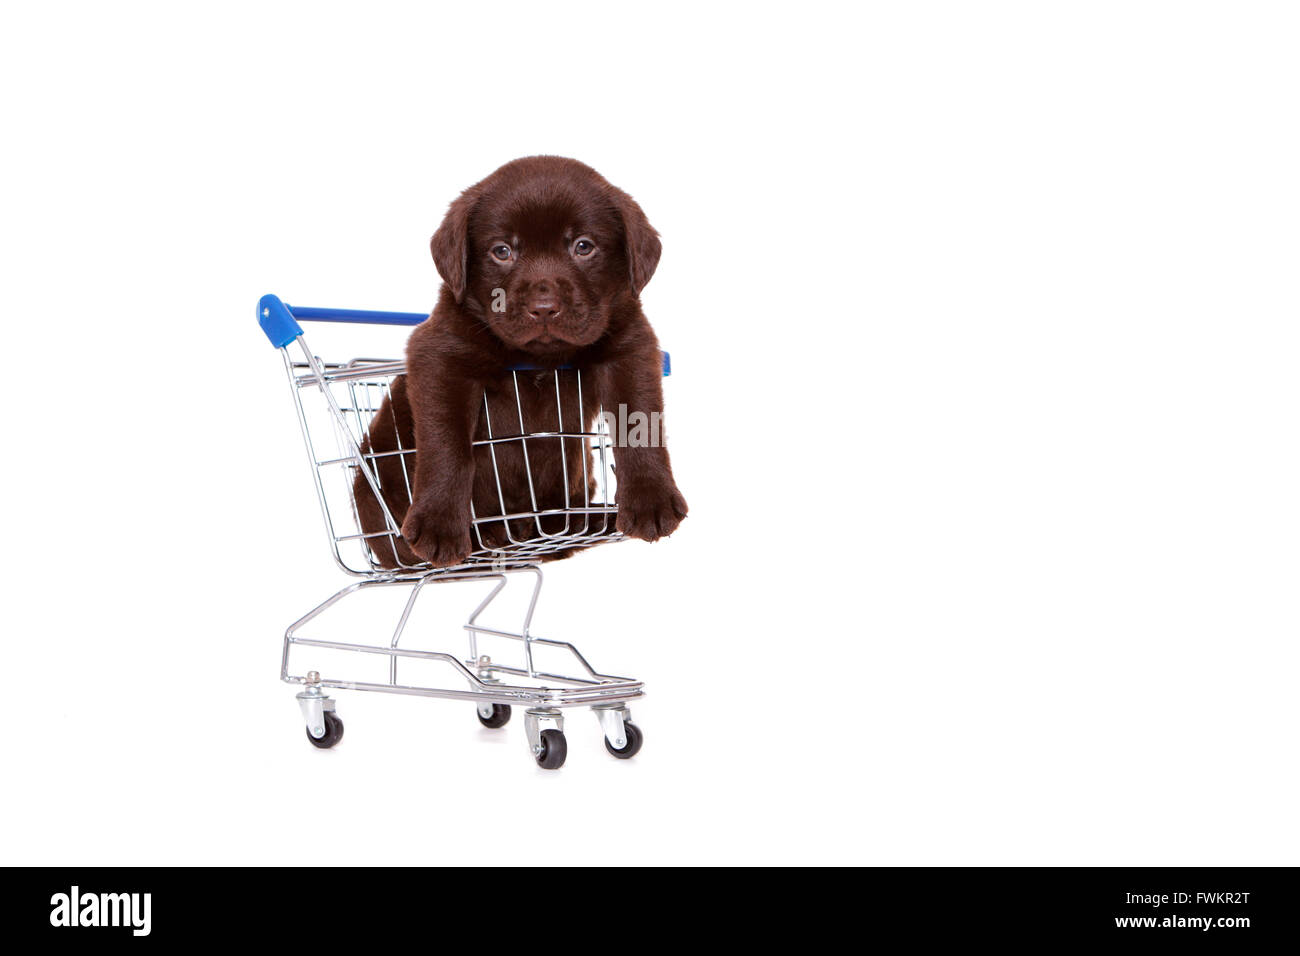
(543, 266)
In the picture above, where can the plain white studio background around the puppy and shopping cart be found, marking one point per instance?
(986, 375)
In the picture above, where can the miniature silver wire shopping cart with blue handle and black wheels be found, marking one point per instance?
(337, 404)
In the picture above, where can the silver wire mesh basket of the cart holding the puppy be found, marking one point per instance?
(363, 462)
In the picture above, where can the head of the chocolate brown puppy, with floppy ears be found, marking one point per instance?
(543, 250)
